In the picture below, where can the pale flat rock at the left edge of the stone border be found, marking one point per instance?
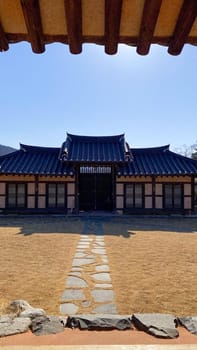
(10, 325)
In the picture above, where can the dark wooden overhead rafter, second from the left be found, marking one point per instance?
(31, 12)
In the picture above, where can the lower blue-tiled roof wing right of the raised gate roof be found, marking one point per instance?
(158, 161)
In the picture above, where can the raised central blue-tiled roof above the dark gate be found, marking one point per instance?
(95, 149)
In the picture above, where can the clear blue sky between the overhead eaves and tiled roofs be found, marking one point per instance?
(152, 99)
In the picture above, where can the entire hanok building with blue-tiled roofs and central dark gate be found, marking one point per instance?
(97, 174)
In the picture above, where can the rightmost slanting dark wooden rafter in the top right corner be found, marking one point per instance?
(183, 26)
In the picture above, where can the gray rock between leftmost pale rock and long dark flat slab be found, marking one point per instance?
(46, 325)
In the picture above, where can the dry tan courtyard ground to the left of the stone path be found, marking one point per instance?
(35, 257)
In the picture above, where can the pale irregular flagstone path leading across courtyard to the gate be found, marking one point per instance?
(88, 285)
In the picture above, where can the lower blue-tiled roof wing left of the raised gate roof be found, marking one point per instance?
(34, 160)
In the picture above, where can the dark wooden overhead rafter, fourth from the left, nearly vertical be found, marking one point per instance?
(113, 9)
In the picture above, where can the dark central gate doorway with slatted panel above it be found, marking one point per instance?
(95, 188)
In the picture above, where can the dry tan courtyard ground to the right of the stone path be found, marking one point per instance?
(155, 270)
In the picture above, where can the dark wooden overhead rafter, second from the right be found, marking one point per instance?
(149, 19)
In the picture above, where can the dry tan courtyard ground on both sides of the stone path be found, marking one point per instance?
(152, 260)
